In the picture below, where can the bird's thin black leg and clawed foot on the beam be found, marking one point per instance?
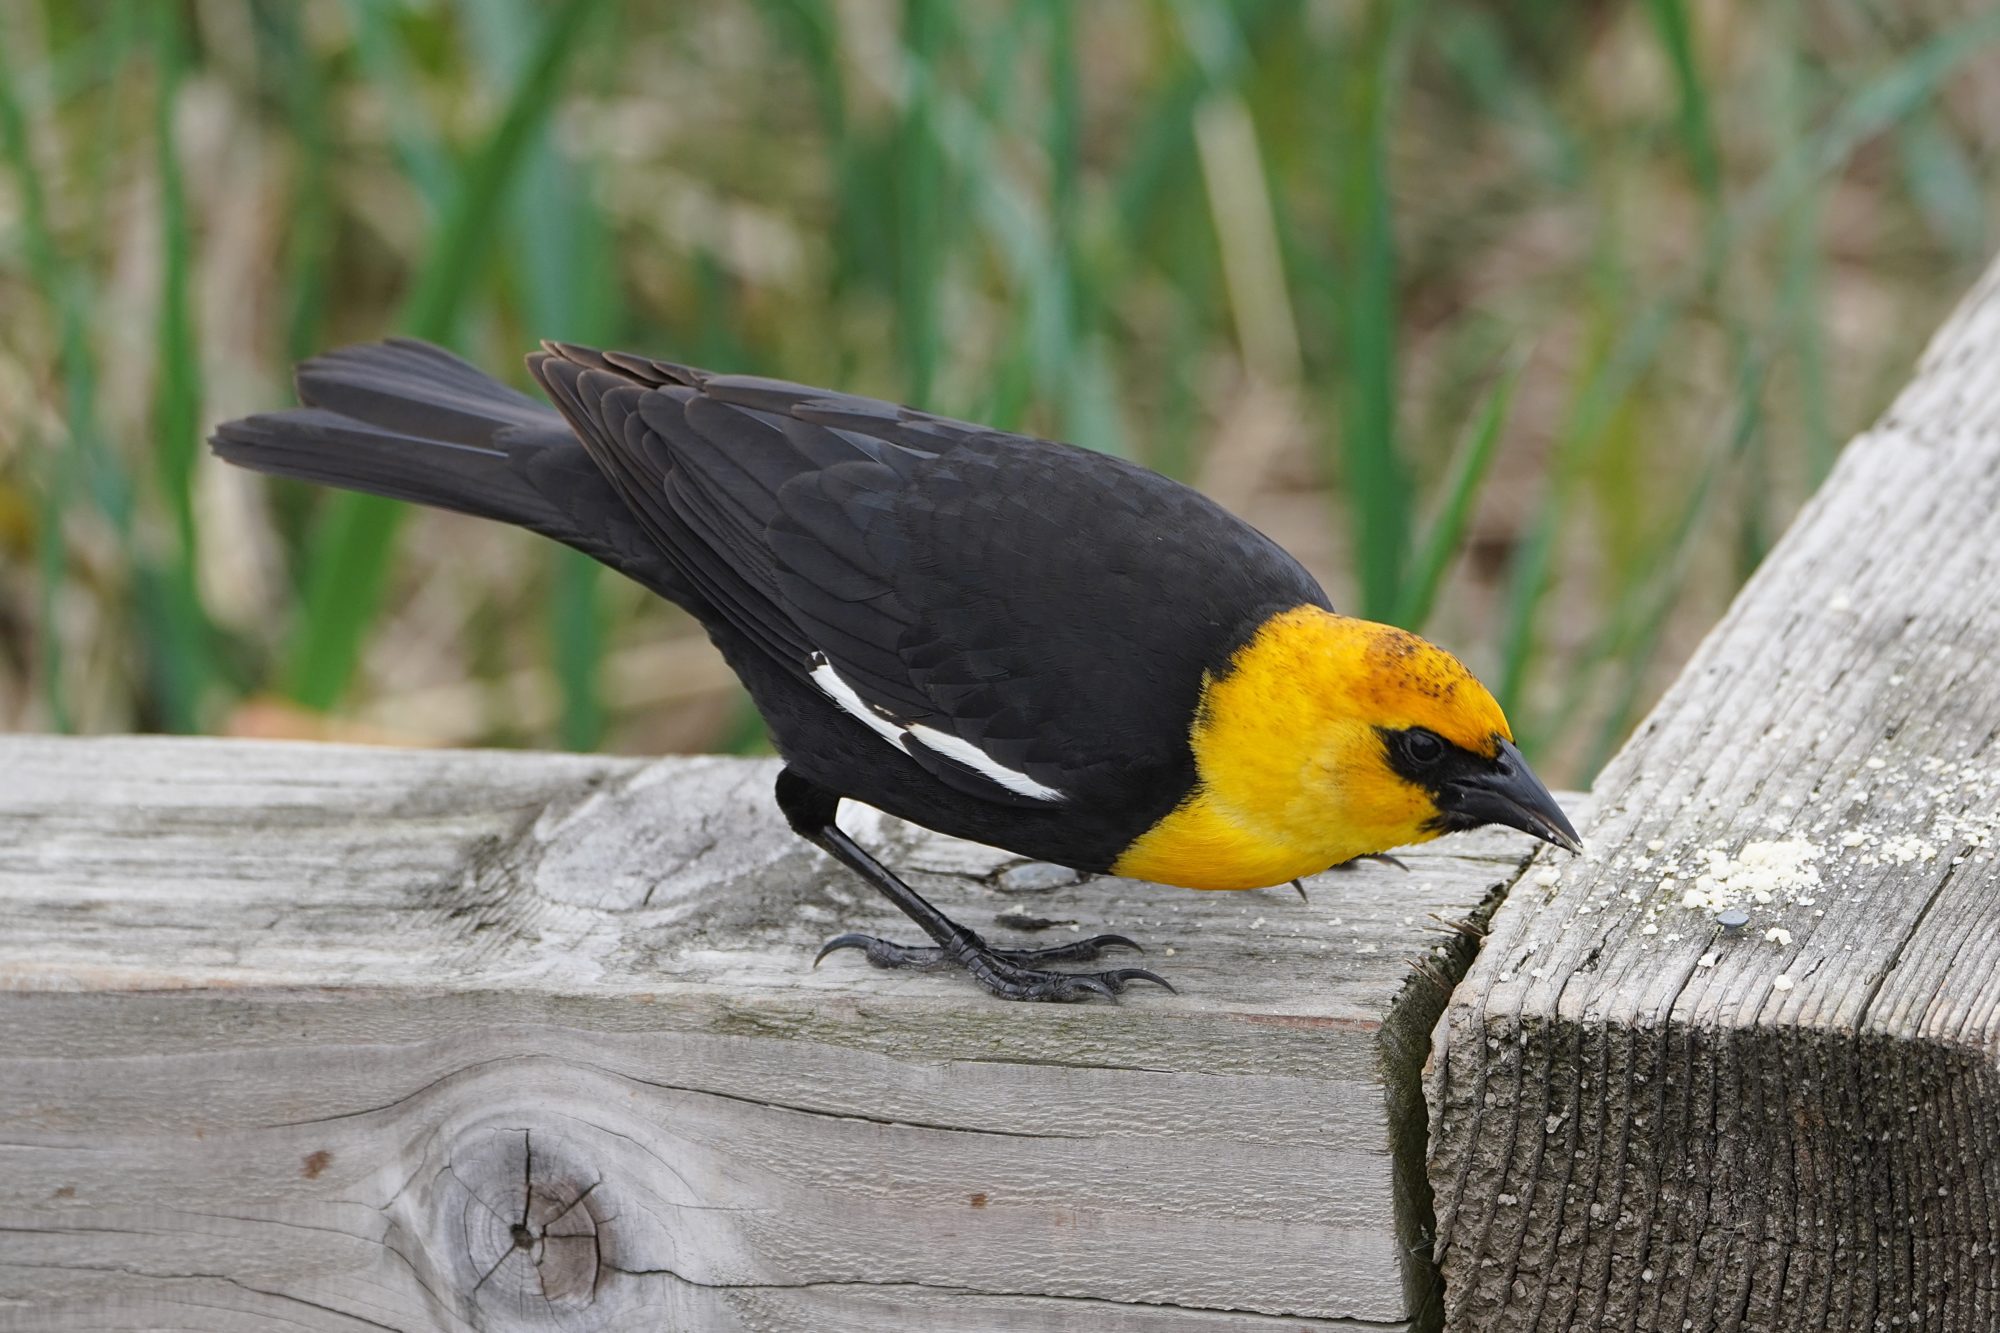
(1009, 974)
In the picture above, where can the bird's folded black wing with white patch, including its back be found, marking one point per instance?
(1025, 619)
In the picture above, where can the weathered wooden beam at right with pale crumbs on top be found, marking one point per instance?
(1645, 1122)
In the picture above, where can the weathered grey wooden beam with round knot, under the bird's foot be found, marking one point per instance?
(323, 1038)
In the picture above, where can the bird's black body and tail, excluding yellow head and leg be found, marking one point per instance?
(1043, 603)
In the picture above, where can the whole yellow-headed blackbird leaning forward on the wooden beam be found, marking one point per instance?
(997, 637)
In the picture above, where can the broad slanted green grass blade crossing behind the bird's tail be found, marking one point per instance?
(351, 551)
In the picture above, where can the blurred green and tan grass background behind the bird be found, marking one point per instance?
(1529, 325)
